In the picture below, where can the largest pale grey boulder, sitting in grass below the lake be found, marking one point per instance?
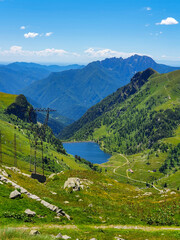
(76, 183)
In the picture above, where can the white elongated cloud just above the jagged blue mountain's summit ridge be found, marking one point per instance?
(107, 53)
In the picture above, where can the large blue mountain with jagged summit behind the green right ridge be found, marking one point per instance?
(72, 92)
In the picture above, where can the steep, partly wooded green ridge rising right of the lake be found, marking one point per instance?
(135, 116)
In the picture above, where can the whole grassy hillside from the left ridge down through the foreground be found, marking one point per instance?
(102, 207)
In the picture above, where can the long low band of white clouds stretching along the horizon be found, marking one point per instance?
(17, 53)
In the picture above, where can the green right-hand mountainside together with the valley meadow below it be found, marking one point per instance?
(144, 125)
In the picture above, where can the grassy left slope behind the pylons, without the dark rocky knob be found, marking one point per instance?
(10, 125)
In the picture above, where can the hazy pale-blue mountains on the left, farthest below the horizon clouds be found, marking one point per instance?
(18, 75)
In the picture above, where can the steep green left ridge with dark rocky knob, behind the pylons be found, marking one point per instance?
(14, 120)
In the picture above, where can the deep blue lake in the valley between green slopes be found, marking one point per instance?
(87, 150)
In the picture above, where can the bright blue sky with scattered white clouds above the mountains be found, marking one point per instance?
(80, 31)
